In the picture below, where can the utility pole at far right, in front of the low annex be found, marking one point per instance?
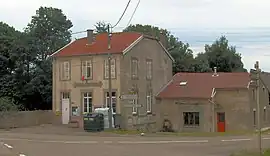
(258, 107)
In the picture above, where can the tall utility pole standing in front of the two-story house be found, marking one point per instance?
(110, 80)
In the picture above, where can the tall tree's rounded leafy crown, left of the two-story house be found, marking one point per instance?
(51, 30)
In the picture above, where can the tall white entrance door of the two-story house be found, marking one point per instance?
(65, 108)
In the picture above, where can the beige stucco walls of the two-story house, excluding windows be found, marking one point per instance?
(147, 48)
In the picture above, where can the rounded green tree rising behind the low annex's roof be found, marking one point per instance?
(223, 56)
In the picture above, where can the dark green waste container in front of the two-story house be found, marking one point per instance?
(93, 122)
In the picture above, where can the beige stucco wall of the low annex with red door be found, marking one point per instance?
(237, 104)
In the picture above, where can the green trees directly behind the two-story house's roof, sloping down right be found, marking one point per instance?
(180, 51)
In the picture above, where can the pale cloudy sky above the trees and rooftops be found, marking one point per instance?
(197, 22)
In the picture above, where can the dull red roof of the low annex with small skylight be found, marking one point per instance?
(200, 85)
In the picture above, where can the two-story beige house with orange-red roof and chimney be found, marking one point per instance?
(139, 64)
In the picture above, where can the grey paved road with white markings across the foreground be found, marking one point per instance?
(58, 145)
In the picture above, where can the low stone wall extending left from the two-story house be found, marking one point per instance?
(27, 118)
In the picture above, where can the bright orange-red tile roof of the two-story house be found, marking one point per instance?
(119, 42)
